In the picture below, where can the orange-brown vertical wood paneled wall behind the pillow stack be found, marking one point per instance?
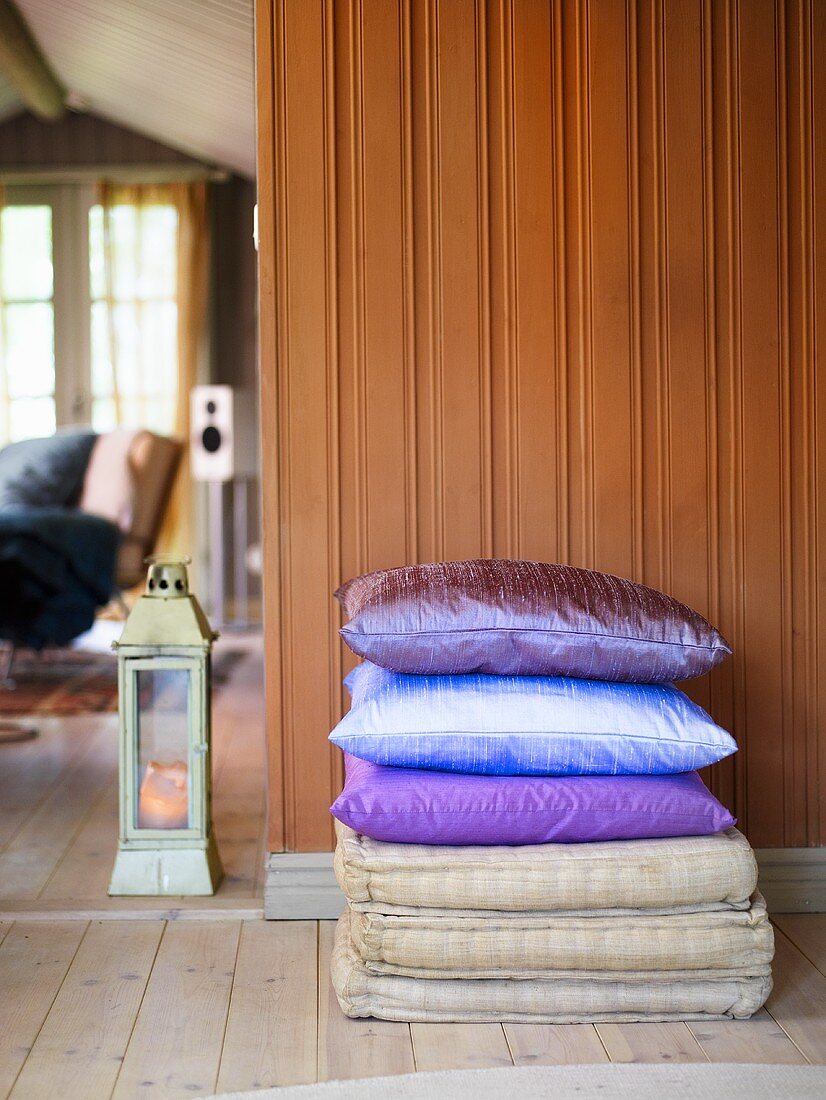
(545, 279)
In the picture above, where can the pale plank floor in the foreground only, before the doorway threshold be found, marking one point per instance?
(158, 1008)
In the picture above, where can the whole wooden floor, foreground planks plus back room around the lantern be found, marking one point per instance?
(124, 998)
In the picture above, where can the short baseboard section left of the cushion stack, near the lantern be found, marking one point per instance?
(302, 887)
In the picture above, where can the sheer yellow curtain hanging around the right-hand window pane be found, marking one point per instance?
(193, 287)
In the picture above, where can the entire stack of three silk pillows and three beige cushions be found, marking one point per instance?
(523, 834)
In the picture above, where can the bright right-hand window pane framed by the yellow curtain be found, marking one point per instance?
(134, 278)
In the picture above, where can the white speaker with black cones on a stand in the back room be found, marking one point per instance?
(223, 434)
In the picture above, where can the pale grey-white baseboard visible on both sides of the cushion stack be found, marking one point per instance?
(302, 886)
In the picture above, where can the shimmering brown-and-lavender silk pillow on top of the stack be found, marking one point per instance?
(525, 619)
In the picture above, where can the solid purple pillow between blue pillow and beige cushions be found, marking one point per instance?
(411, 807)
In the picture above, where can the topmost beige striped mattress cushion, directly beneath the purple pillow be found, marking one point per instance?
(718, 871)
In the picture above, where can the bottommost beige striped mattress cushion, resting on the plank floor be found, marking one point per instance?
(588, 998)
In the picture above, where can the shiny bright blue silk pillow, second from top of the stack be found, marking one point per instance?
(526, 725)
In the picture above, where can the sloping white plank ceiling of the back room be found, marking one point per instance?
(179, 71)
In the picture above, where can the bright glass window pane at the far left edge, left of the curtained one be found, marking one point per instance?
(27, 323)
